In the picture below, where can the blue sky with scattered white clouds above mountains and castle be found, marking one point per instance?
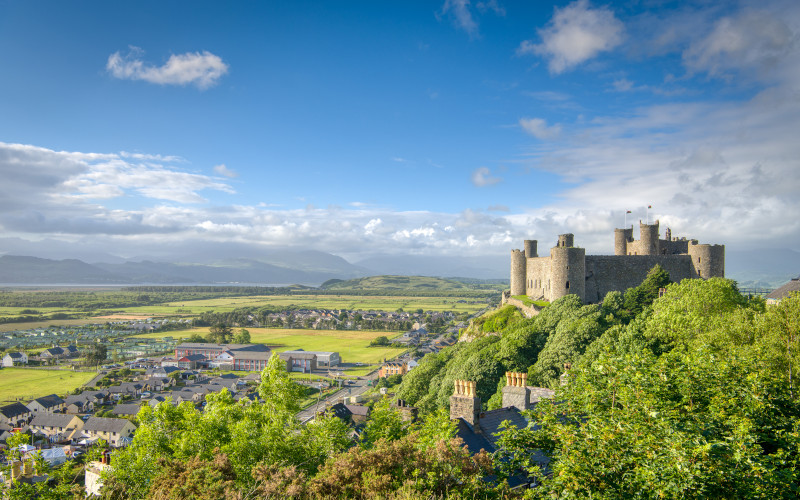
(451, 127)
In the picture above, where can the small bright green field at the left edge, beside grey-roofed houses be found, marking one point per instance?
(26, 384)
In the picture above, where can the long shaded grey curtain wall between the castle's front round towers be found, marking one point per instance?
(606, 273)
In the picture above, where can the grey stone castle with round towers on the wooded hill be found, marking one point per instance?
(568, 270)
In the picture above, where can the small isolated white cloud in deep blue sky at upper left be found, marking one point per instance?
(202, 69)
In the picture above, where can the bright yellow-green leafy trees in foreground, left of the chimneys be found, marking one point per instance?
(247, 433)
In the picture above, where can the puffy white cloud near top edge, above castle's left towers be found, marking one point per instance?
(575, 34)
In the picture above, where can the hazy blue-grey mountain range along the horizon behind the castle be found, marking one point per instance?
(767, 268)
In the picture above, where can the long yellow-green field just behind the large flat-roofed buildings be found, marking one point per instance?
(351, 345)
